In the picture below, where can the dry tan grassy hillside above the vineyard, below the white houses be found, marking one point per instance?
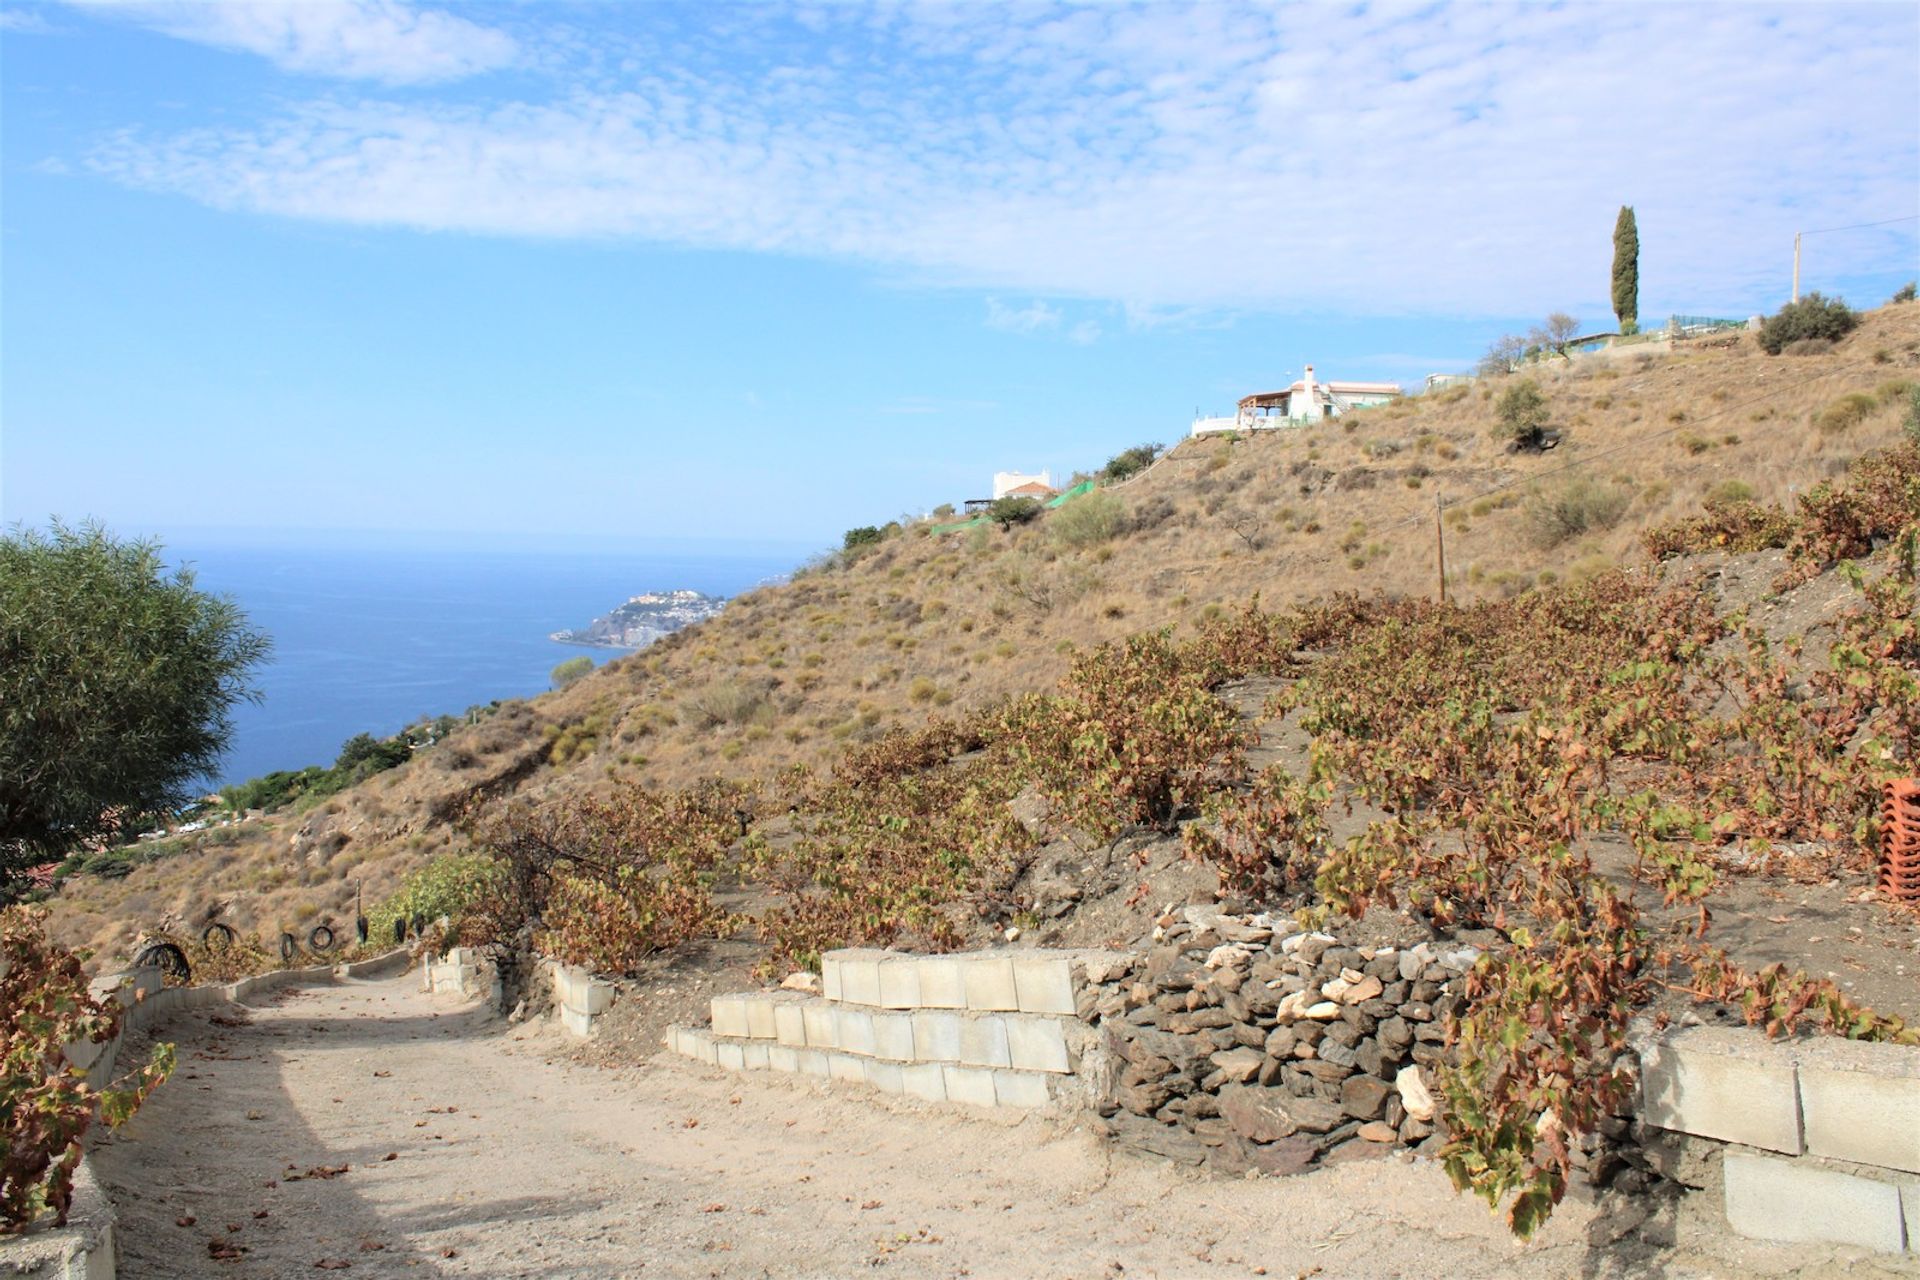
(798, 673)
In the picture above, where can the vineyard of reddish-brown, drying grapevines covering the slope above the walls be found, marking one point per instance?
(1497, 740)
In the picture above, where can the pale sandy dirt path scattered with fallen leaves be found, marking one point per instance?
(473, 1149)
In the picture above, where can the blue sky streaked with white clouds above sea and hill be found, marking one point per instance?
(756, 273)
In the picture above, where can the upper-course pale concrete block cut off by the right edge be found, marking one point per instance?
(1861, 1102)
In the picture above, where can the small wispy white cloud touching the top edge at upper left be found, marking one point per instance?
(352, 39)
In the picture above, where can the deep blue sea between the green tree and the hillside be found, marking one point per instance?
(368, 640)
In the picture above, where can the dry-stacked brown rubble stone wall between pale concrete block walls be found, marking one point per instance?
(1249, 1045)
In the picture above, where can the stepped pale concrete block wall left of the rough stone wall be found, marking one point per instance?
(990, 1030)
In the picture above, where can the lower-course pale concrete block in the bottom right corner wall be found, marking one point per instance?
(1794, 1200)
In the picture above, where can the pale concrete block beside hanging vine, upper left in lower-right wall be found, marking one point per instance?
(1723, 1083)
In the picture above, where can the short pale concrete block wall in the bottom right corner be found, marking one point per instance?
(1823, 1135)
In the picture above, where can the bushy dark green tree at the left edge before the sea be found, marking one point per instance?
(118, 686)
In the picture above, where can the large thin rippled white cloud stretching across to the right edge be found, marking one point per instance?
(1170, 158)
